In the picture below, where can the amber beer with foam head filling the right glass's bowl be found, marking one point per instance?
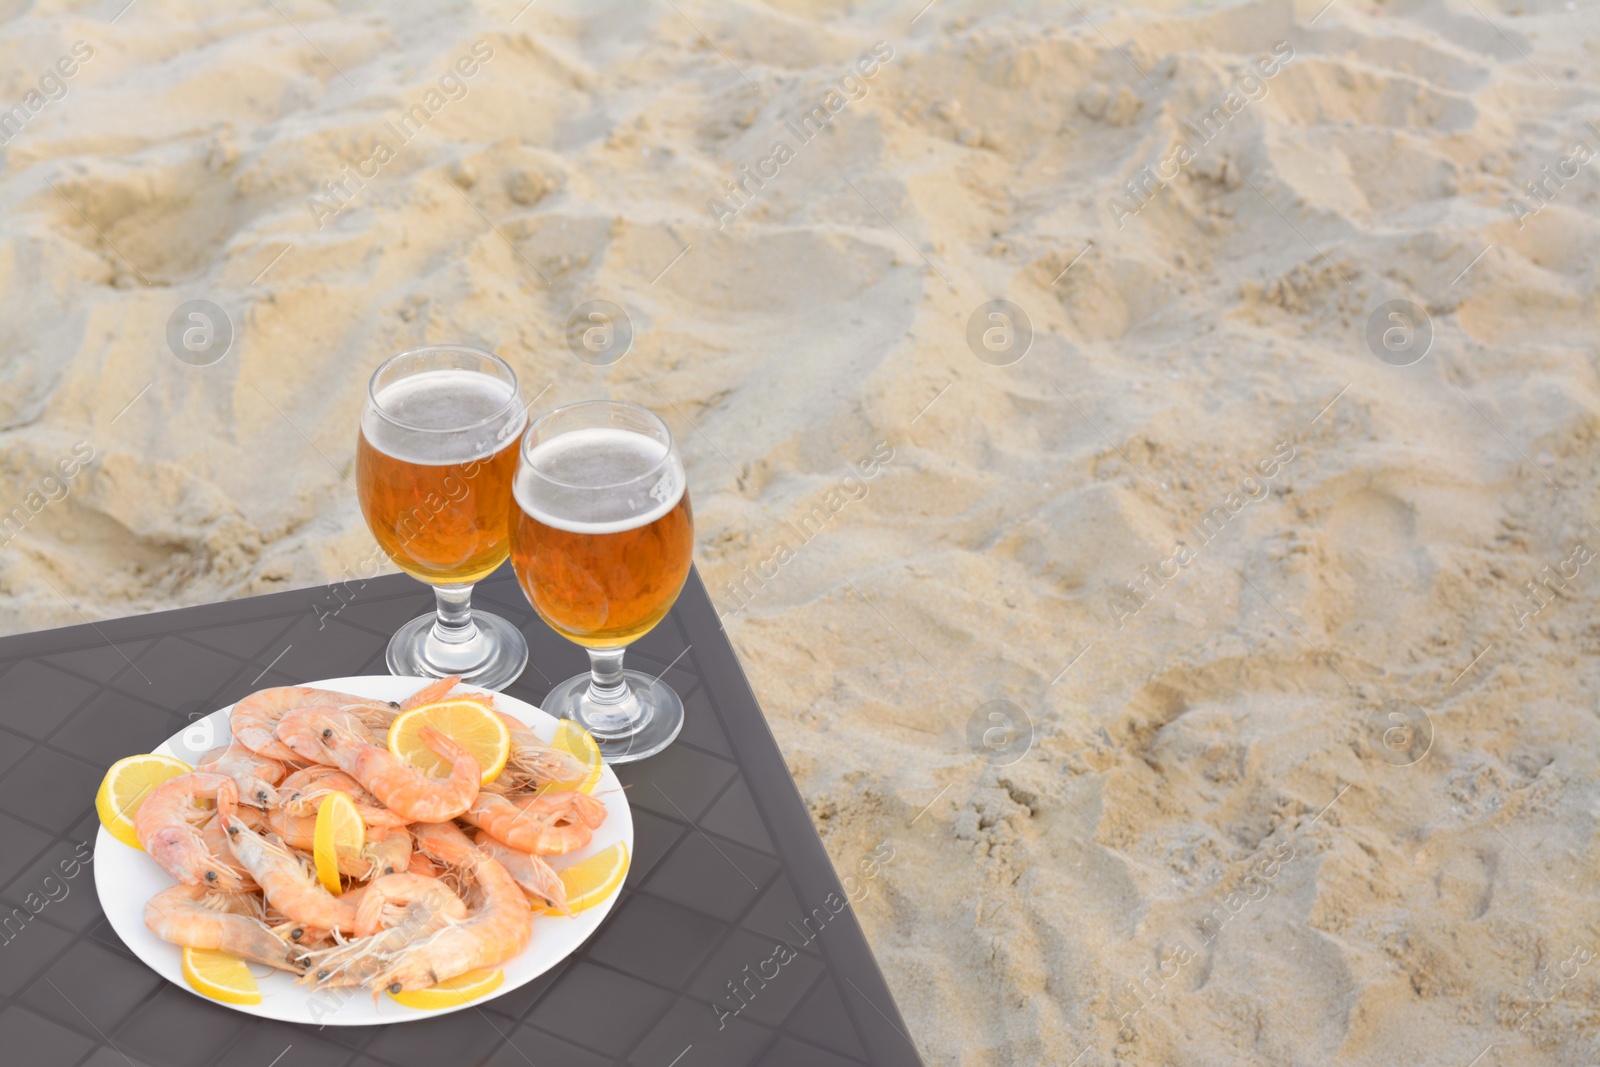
(604, 535)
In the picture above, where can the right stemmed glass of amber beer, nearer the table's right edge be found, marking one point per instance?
(601, 545)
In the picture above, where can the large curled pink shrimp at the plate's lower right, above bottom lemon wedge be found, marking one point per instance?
(489, 937)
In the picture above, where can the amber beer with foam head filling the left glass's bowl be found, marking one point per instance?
(439, 502)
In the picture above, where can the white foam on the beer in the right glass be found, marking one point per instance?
(594, 481)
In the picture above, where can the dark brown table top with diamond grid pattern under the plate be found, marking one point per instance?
(687, 972)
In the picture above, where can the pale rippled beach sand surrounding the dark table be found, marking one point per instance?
(1223, 687)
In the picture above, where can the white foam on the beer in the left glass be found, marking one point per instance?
(431, 406)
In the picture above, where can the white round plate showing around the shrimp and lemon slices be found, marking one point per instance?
(127, 877)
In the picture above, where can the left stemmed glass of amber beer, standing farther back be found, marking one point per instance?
(433, 468)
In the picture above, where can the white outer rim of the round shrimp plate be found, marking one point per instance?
(386, 1010)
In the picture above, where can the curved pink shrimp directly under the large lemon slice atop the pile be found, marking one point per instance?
(334, 738)
